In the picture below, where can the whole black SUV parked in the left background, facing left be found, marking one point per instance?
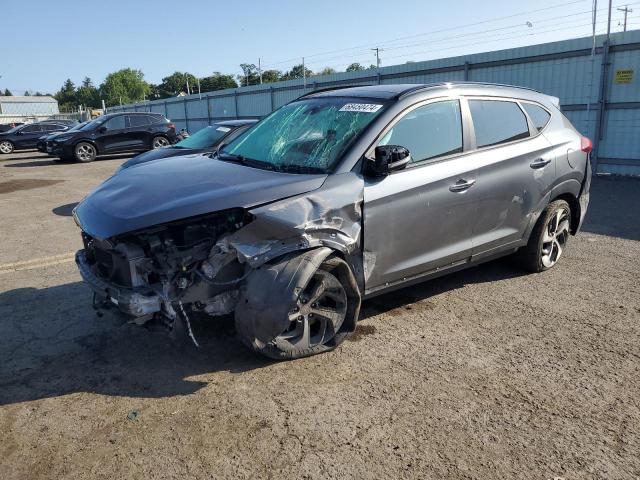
(114, 133)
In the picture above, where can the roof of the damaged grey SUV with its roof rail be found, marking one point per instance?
(396, 91)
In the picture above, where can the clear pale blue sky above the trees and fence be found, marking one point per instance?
(47, 42)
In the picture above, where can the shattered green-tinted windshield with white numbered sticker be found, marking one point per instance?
(307, 136)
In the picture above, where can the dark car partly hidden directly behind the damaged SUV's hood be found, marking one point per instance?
(208, 139)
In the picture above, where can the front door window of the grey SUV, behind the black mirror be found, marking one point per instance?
(430, 131)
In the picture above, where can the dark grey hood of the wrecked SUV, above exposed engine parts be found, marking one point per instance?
(175, 188)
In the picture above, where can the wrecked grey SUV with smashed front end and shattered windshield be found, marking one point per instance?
(337, 196)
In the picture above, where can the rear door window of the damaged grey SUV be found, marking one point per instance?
(497, 122)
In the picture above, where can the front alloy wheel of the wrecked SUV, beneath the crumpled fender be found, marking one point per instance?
(318, 315)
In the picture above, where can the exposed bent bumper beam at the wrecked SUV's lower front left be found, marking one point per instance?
(127, 300)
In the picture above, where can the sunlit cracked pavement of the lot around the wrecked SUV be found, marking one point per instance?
(487, 374)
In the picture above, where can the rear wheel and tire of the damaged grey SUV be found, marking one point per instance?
(548, 238)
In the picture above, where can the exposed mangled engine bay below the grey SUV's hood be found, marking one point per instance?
(151, 274)
